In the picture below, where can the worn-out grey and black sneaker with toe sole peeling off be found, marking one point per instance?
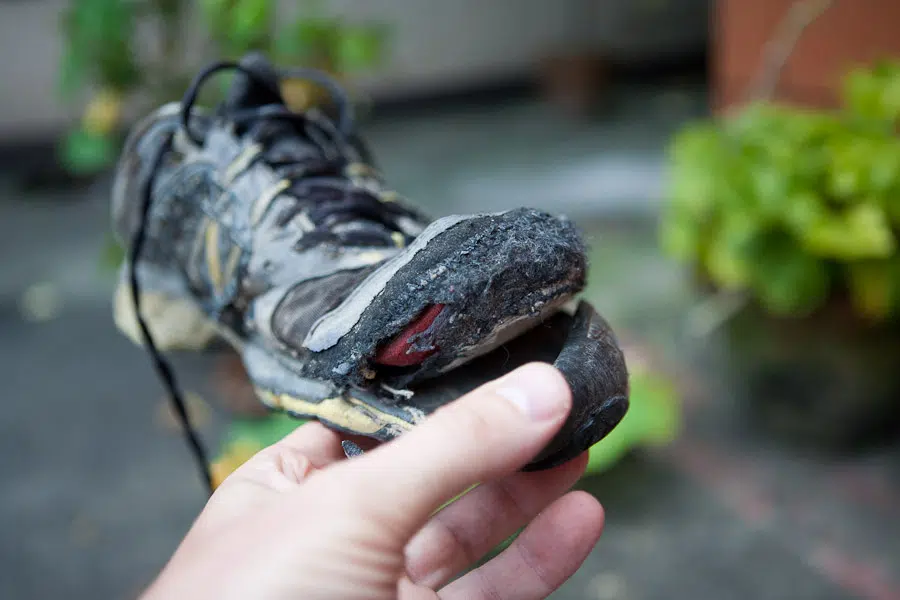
(274, 231)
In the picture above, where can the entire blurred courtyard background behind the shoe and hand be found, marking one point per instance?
(734, 165)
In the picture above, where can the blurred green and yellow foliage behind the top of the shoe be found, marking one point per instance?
(100, 56)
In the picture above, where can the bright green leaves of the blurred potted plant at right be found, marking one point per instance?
(793, 205)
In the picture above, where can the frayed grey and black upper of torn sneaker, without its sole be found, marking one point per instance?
(283, 231)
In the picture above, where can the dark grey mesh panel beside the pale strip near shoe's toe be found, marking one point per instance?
(309, 300)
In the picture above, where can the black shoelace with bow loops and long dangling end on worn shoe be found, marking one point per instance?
(348, 206)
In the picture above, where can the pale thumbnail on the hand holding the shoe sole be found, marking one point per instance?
(537, 390)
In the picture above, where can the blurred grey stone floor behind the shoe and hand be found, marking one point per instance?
(97, 490)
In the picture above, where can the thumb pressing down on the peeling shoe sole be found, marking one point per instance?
(488, 433)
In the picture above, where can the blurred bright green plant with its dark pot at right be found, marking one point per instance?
(796, 212)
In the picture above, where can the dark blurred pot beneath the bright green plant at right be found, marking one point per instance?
(830, 380)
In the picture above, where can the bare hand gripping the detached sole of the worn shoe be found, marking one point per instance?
(298, 521)
